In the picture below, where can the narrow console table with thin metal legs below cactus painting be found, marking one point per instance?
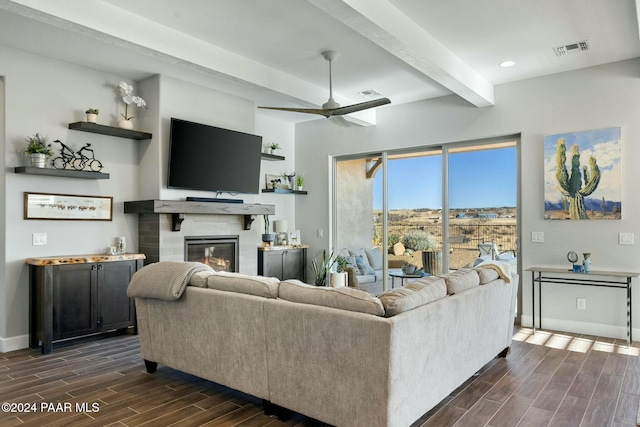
(609, 279)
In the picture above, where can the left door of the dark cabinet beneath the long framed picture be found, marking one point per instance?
(74, 300)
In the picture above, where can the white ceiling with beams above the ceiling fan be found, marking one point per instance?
(269, 50)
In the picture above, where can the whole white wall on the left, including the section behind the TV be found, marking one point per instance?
(44, 95)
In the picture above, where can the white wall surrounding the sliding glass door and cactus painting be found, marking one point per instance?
(599, 97)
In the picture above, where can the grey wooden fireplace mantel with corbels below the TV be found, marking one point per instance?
(178, 209)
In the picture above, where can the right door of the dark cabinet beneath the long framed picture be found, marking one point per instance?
(115, 308)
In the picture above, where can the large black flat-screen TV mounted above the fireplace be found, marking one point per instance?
(209, 158)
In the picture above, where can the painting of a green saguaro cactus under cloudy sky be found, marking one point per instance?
(582, 178)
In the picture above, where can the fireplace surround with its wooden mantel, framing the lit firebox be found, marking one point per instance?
(159, 242)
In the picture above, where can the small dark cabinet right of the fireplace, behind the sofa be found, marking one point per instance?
(283, 263)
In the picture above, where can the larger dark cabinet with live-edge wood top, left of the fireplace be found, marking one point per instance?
(79, 296)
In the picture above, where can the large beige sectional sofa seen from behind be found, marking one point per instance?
(339, 355)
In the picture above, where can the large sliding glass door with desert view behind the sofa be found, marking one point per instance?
(439, 209)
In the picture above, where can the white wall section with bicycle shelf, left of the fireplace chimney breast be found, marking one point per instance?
(43, 95)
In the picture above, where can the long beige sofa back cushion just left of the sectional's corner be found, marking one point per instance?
(341, 298)
